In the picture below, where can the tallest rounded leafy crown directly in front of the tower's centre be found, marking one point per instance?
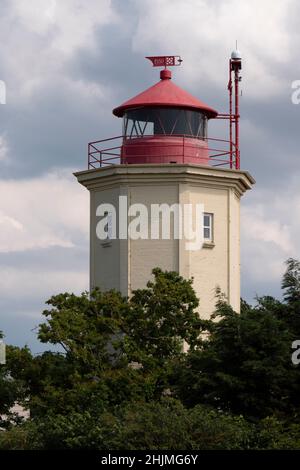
(161, 317)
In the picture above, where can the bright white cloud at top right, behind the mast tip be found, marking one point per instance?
(204, 33)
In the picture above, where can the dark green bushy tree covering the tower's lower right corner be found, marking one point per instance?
(245, 364)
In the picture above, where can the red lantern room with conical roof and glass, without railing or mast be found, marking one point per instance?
(165, 124)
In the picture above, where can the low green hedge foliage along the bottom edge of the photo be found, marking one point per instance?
(156, 426)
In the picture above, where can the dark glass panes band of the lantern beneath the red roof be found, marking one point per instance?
(147, 121)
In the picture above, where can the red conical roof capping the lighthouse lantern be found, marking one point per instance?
(165, 93)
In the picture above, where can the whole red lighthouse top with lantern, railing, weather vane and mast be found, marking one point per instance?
(165, 125)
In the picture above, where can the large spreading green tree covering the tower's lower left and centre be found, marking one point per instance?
(116, 350)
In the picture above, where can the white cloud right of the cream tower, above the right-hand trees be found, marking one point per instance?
(270, 231)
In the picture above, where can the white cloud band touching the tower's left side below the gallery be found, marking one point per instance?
(42, 212)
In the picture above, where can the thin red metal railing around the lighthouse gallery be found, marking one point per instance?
(104, 152)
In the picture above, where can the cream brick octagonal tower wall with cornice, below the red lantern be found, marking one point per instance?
(126, 264)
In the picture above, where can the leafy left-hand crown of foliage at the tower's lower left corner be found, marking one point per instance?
(84, 326)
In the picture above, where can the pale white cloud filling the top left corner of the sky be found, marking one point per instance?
(39, 37)
